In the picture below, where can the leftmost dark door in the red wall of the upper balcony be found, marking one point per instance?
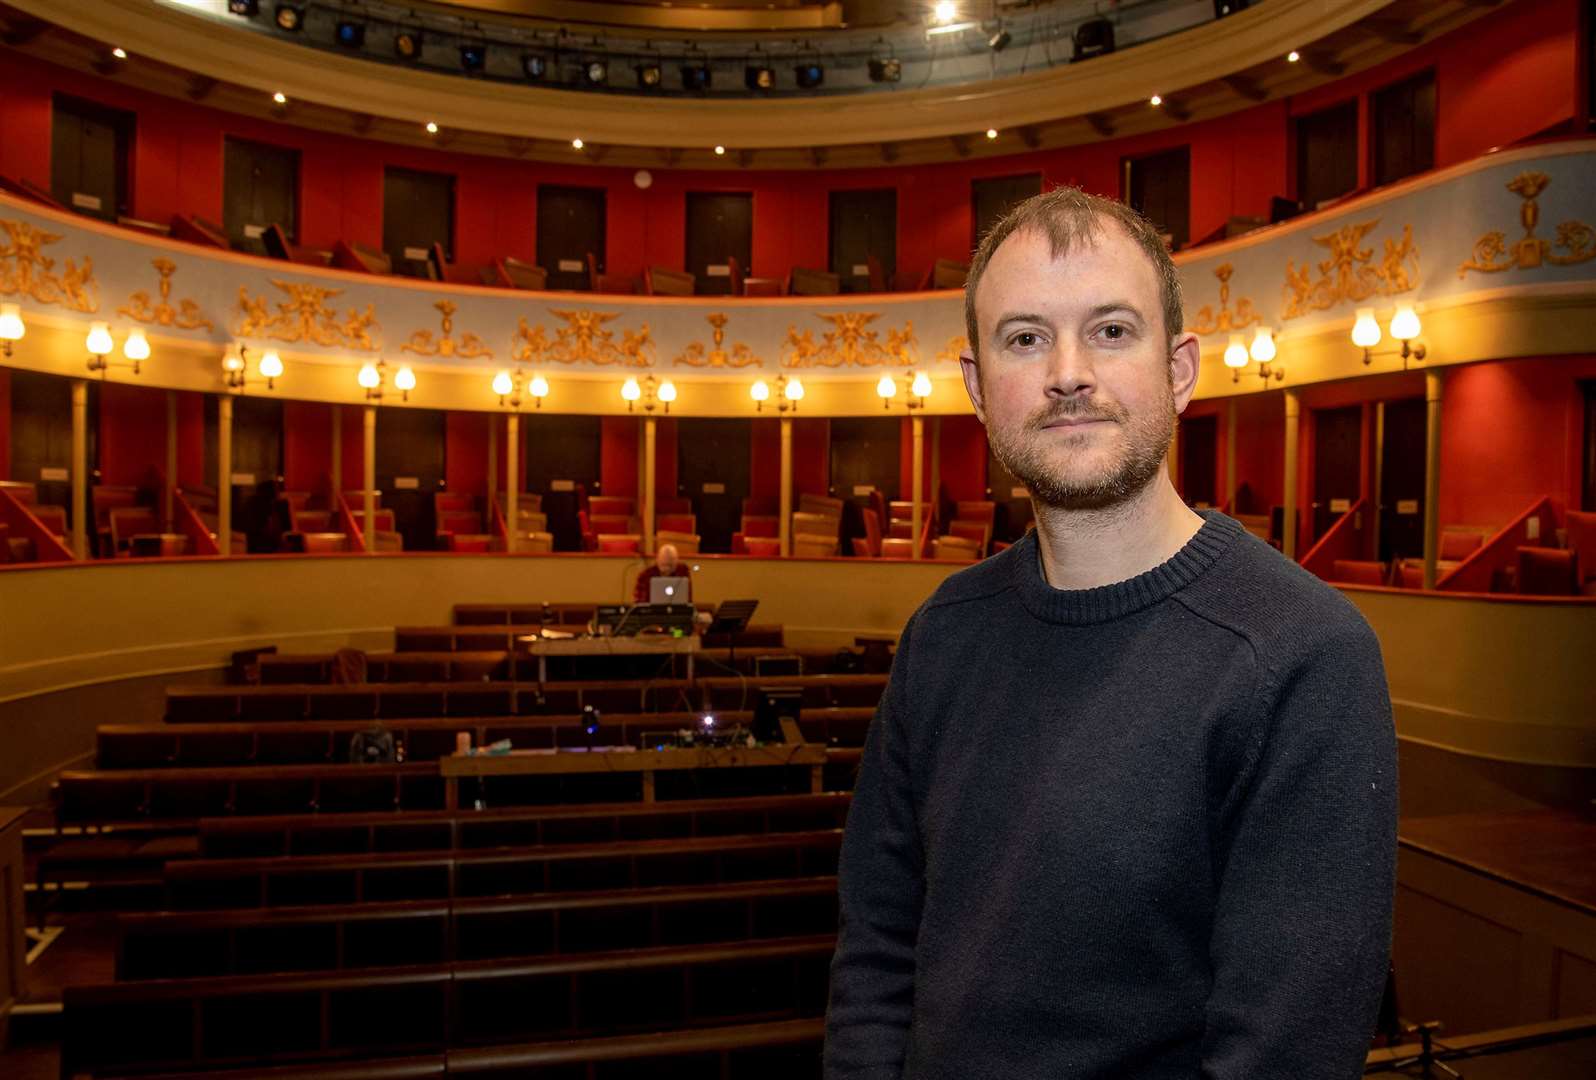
(89, 157)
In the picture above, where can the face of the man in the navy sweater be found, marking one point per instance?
(1077, 380)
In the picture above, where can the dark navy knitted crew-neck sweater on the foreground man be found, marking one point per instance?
(1137, 832)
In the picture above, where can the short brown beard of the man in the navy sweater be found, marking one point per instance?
(1054, 468)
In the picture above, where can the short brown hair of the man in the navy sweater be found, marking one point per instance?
(1067, 216)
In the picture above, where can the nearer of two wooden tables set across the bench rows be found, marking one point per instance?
(523, 763)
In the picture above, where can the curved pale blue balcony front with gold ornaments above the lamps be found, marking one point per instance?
(1499, 256)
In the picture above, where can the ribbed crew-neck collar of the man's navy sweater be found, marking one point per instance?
(1083, 607)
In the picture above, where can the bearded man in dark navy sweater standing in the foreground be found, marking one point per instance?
(1128, 808)
